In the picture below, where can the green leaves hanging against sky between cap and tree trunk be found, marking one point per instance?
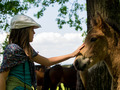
(68, 12)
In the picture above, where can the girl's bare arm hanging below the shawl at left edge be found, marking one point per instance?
(3, 77)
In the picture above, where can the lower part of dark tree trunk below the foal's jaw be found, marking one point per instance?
(99, 77)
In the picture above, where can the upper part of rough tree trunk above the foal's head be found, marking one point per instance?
(109, 10)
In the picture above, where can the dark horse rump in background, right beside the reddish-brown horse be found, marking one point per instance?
(52, 77)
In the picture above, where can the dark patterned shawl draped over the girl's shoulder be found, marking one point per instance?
(12, 56)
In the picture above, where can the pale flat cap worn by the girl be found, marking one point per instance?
(22, 21)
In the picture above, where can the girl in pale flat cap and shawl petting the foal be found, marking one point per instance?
(17, 69)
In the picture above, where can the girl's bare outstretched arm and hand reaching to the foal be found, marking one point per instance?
(53, 60)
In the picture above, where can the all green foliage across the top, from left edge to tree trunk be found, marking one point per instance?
(68, 12)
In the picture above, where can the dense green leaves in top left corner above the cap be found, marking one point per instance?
(9, 8)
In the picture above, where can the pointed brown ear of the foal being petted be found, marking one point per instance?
(97, 21)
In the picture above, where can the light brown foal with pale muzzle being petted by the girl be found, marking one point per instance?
(102, 43)
